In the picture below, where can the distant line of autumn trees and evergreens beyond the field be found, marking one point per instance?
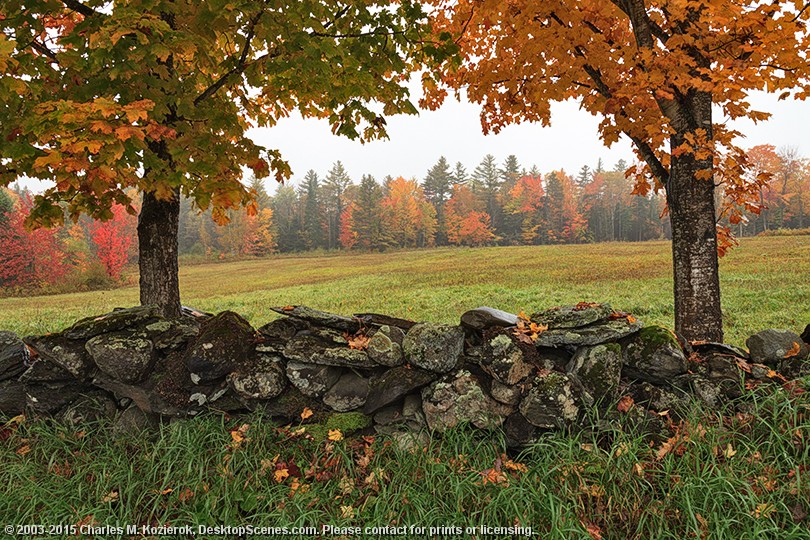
(494, 204)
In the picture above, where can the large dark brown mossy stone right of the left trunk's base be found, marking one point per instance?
(225, 341)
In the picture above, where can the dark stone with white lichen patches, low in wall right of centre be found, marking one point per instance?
(552, 401)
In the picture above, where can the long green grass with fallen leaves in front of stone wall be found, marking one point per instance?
(742, 476)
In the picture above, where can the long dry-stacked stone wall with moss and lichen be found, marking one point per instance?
(493, 370)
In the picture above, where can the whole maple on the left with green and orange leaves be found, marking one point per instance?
(158, 95)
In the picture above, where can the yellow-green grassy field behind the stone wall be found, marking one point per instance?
(764, 282)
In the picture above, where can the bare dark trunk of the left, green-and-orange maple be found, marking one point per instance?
(158, 225)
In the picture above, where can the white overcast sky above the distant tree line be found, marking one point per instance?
(416, 142)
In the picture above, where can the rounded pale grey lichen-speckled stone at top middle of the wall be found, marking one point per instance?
(435, 347)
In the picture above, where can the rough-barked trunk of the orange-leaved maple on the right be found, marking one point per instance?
(698, 316)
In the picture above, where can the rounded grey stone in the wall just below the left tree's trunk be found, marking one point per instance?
(124, 356)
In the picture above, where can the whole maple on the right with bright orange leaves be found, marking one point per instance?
(652, 71)
